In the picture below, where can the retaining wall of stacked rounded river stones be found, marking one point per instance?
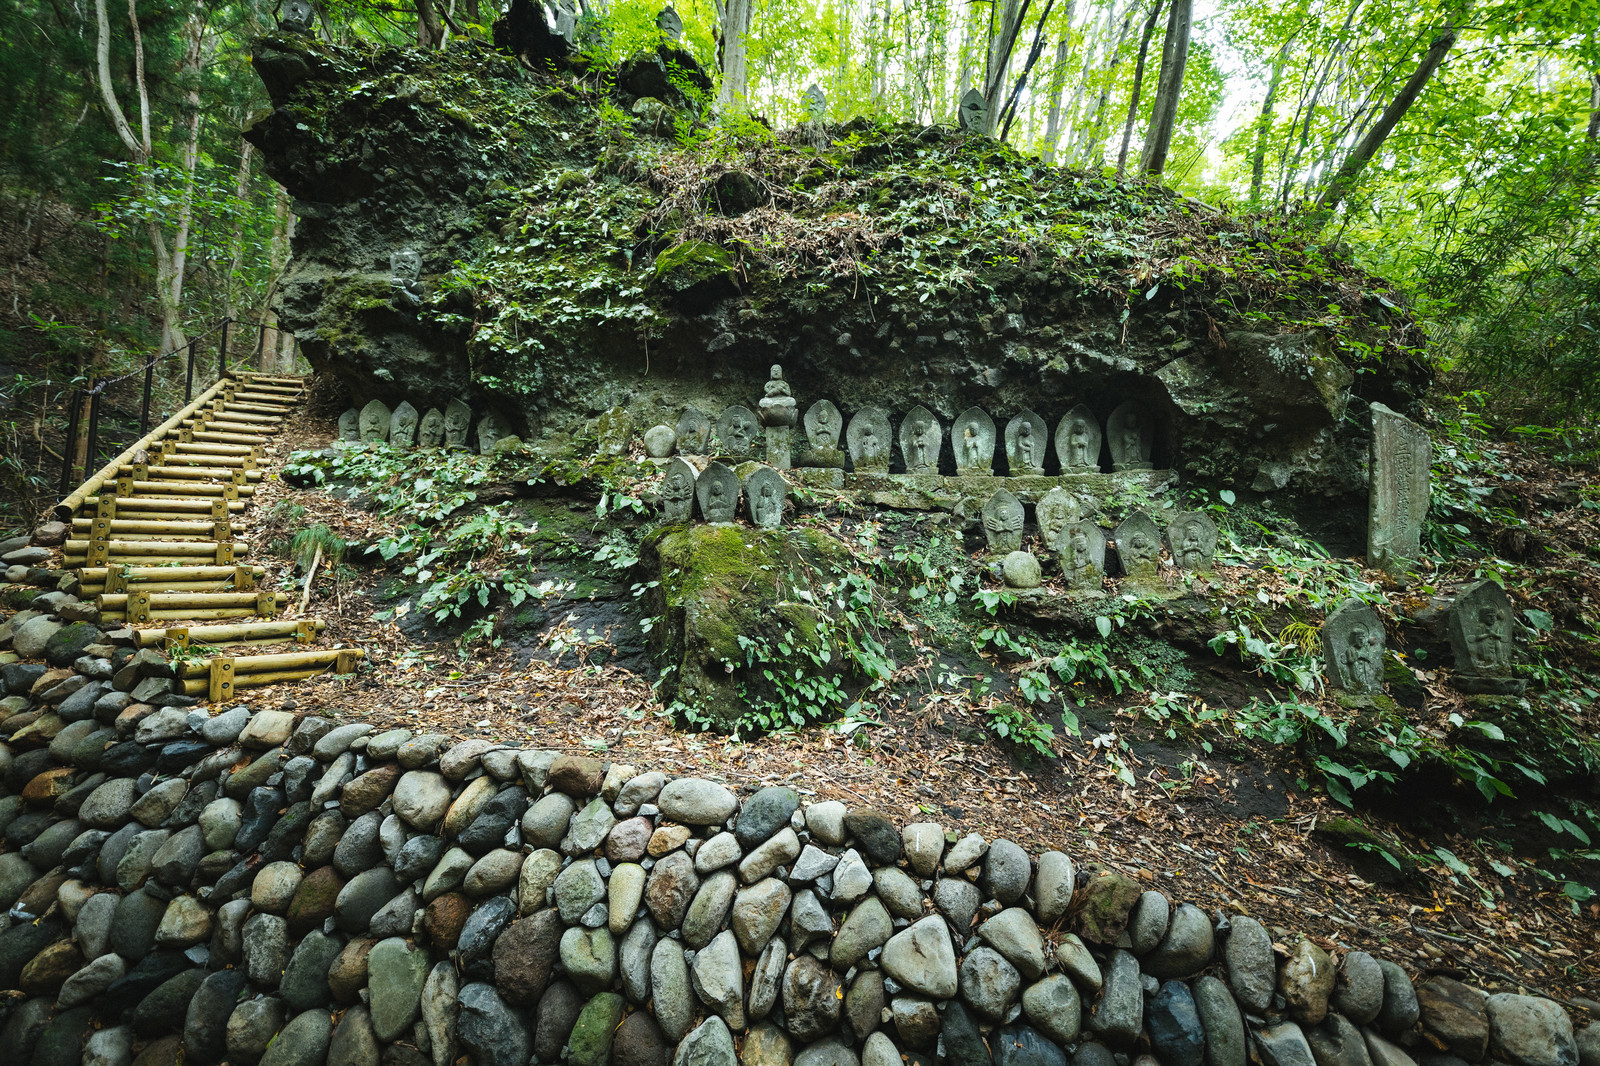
(297, 892)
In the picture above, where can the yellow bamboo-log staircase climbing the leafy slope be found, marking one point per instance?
(154, 542)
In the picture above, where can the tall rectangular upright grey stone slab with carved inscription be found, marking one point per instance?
(1399, 495)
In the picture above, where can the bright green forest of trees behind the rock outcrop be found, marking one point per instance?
(1450, 146)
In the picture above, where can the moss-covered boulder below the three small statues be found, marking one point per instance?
(719, 583)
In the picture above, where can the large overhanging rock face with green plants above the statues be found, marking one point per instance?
(422, 188)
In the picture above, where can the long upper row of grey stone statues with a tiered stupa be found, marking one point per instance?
(868, 439)
